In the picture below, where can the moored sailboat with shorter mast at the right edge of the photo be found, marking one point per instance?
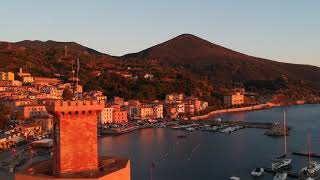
(312, 167)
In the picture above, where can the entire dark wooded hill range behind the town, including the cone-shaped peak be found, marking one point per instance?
(186, 64)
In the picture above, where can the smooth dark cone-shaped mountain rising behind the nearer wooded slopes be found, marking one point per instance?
(205, 58)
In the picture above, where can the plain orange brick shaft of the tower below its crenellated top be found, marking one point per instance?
(76, 148)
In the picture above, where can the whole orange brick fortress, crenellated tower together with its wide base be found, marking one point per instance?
(75, 149)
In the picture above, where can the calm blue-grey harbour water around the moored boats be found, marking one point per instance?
(215, 156)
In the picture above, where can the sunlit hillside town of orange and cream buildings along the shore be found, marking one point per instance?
(23, 100)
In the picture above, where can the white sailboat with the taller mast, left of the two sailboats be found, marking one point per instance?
(282, 161)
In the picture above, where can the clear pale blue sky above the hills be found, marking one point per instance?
(282, 30)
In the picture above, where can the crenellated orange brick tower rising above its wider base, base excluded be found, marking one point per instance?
(75, 135)
